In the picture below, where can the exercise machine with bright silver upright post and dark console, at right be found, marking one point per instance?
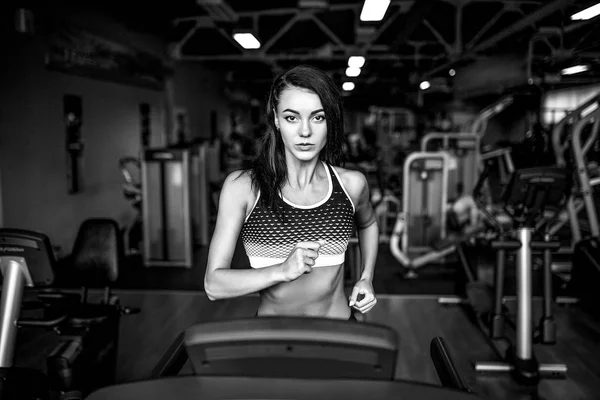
(530, 194)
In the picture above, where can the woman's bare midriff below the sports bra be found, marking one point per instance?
(319, 293)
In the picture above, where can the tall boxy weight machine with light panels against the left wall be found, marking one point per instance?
(176, 204)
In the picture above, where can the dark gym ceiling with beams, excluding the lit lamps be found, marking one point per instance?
(492, 46)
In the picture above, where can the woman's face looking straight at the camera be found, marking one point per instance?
(301, 120)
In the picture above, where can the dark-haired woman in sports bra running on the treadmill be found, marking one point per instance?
(295, 210)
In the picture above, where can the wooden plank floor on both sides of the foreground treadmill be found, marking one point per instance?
(146, 336)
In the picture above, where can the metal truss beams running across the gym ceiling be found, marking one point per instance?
(430, 56)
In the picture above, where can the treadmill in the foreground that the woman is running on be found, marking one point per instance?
(289, 357)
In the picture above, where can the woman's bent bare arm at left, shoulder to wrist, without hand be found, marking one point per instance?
(220, 281)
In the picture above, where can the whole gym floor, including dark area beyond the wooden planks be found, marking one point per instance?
(171, 299)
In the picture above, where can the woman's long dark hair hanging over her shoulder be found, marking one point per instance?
(269, 171)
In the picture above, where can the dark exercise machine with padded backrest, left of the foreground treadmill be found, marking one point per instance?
(86, 356)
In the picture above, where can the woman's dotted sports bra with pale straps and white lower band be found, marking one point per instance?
(268, 241)
